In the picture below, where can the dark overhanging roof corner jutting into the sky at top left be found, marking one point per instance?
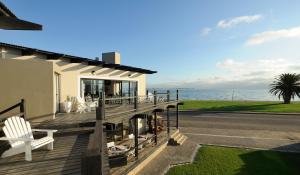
(9, 21)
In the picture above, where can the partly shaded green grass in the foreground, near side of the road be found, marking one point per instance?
(211, 160)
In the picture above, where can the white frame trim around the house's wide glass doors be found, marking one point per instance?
(103, 78)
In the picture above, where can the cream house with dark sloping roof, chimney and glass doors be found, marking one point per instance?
(46, 79)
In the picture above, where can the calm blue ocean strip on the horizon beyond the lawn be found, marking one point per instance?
(226, 94)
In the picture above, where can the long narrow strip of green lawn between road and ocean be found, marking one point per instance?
(246, 106)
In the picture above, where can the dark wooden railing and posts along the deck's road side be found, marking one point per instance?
(95, 159)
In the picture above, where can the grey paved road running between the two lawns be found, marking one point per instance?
(279, 132)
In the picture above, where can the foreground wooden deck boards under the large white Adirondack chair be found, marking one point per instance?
(64, 159)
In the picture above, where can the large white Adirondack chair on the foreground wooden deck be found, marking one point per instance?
(19, 134)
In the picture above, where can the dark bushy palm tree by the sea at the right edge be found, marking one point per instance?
(286, 86)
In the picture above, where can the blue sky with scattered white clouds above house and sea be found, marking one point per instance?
(192, 43)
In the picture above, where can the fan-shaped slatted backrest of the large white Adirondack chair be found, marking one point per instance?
(17, 127)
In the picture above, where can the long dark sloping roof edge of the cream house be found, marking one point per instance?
(76, 59)
